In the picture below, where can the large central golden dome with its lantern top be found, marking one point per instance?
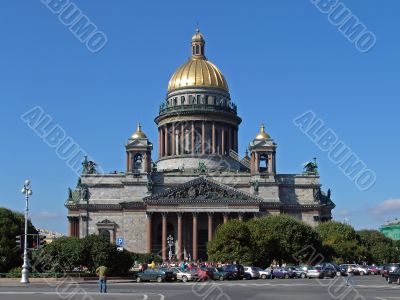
(197, 71)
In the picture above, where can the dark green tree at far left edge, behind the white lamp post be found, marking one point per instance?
(11, 224)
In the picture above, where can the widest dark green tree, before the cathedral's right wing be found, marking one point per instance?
(284, 239)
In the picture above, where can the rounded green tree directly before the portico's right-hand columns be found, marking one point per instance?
(231, 242)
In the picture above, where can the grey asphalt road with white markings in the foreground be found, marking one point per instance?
(365, 287)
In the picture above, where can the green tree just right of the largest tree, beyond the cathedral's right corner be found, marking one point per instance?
(341, 242)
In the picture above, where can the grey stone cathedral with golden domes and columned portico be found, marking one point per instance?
(199, 180)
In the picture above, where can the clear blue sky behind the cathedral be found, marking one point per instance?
(281, 58)
